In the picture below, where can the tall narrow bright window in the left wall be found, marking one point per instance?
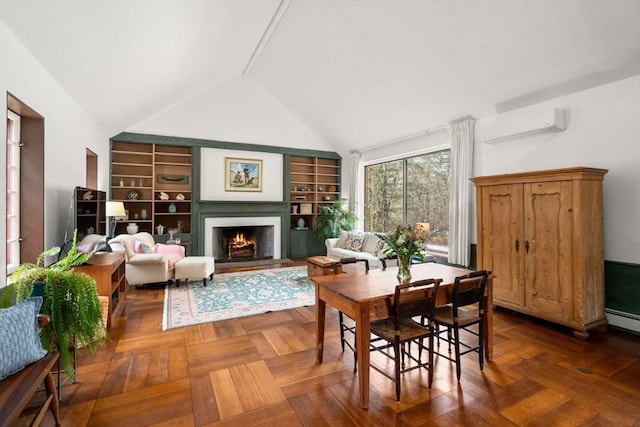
(13, 191)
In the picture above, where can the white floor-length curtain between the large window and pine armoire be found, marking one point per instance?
(461, 133)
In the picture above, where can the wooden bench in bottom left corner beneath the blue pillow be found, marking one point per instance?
(17, 390)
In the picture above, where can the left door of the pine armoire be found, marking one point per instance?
(502, 230)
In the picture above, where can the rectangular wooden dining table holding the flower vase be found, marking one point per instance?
(366, 296)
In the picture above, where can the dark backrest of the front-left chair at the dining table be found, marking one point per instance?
(415, 299)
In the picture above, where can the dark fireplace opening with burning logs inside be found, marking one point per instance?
(245, 243)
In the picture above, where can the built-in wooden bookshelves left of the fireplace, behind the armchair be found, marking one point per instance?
(154, 182)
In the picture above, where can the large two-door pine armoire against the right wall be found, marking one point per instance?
(541, 234)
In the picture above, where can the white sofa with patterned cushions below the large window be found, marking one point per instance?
(356, 244)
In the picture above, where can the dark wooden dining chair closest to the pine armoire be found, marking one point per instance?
(468, 308)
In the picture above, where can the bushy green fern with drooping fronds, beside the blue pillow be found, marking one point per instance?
(70, 298)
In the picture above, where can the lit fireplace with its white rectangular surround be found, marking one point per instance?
(238, 239)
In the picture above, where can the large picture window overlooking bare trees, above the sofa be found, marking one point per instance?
(410, 190)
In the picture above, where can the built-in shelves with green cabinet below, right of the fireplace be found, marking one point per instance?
(313, 181)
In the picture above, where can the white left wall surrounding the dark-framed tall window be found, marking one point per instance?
(68, 132)
